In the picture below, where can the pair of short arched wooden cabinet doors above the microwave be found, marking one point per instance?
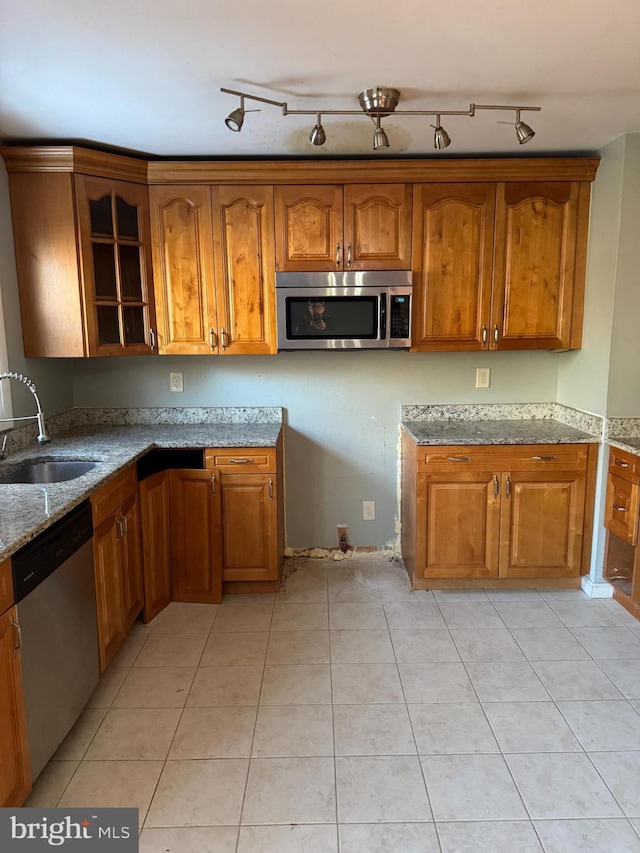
(356, 227)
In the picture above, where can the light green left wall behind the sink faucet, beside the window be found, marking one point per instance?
(52, 376)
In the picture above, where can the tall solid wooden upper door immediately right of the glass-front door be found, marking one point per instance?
(182, 230)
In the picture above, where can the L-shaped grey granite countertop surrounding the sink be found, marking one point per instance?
(26, 510)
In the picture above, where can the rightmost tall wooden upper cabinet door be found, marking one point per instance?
(534, 265)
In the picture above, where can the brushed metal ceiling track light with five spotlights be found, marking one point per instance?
(377, 103)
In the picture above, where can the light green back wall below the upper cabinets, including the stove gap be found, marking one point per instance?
(342, 412)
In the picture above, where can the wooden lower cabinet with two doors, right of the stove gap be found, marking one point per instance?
(497, 513)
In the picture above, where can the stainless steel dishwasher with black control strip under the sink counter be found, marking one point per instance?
(54, 585)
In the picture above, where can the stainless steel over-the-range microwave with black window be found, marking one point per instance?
(344, 310)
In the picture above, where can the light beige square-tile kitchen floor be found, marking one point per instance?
(349, 713)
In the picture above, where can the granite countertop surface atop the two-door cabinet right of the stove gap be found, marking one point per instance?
(480, 432)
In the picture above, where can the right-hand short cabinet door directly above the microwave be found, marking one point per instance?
(377, 226)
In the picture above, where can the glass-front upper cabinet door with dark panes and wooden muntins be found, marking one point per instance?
(115, 255)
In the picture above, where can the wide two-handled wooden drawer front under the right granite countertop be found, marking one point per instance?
(529, 457)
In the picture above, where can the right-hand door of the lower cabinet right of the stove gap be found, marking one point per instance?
(541, 526)
